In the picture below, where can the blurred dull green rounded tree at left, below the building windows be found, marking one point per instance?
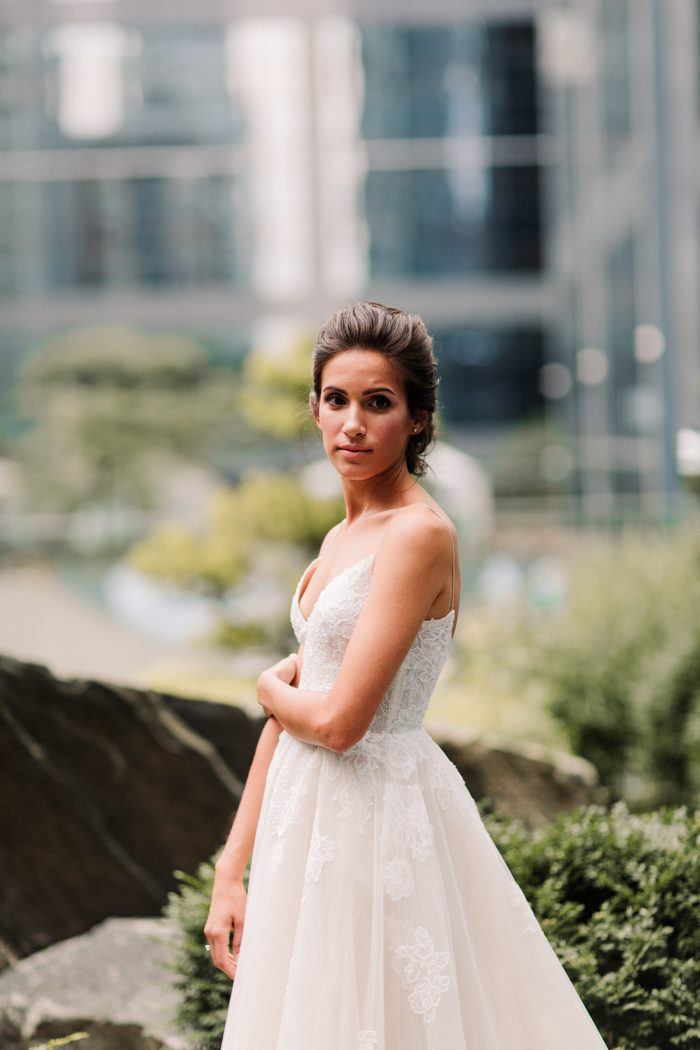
(113, 409)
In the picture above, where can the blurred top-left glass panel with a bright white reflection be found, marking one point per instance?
(112, 85)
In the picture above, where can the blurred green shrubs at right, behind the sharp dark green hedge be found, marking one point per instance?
(618, 666)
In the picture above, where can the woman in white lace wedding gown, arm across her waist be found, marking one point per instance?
(380, 915)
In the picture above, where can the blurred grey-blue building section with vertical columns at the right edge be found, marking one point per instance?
(623, 80)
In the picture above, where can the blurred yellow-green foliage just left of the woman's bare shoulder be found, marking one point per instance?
(266, 507)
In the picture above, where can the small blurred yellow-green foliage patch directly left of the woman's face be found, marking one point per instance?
(274, 392)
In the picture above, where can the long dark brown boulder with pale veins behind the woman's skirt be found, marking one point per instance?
(107, 791)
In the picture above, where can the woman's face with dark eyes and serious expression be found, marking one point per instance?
(363, 406)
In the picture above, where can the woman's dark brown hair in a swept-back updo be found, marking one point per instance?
(406, 341)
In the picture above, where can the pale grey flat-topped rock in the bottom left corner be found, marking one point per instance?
(112, 983)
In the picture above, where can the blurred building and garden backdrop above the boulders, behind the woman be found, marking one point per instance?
(188, 190)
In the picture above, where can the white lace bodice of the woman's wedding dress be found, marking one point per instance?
(327, 635)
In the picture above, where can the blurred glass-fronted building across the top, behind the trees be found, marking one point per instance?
(238, 172)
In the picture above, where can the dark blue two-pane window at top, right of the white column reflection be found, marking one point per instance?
(437, 88)
